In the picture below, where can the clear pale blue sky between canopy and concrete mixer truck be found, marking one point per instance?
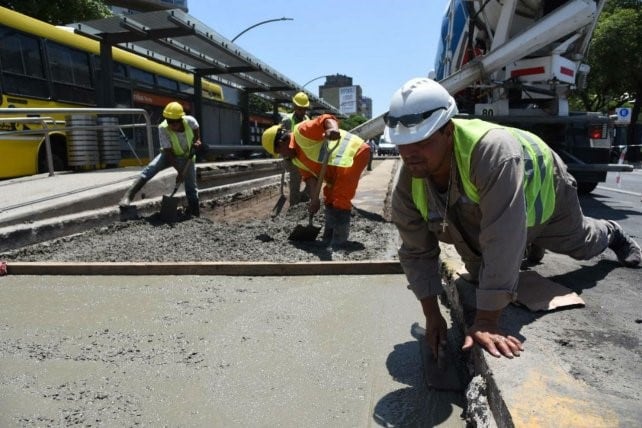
(379, 43)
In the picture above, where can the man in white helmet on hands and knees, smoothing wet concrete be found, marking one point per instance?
(489, 190)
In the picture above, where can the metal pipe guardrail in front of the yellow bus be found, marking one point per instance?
(32, 115)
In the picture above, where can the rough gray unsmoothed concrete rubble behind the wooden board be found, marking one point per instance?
(239, 228)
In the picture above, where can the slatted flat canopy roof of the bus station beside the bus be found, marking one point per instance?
(177, 39)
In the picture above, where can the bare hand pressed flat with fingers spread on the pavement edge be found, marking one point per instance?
(485, 331)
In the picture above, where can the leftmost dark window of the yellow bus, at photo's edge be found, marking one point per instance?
(22, 67)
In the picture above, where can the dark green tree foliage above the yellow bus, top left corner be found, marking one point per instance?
(59, 12)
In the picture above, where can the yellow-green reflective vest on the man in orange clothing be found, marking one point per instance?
(342, 155)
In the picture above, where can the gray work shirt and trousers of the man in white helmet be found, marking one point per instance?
(490, 236)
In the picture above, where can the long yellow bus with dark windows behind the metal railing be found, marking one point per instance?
(44, 66)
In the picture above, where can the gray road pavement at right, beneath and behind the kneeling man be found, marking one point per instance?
(581, 366)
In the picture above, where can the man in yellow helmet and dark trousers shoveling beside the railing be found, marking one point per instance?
(179, 139)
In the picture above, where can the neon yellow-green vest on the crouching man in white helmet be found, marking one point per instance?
(539, 189)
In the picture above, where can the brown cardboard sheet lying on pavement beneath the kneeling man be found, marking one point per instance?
(541, 294)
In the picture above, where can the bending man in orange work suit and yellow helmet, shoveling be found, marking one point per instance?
(348, 158)
